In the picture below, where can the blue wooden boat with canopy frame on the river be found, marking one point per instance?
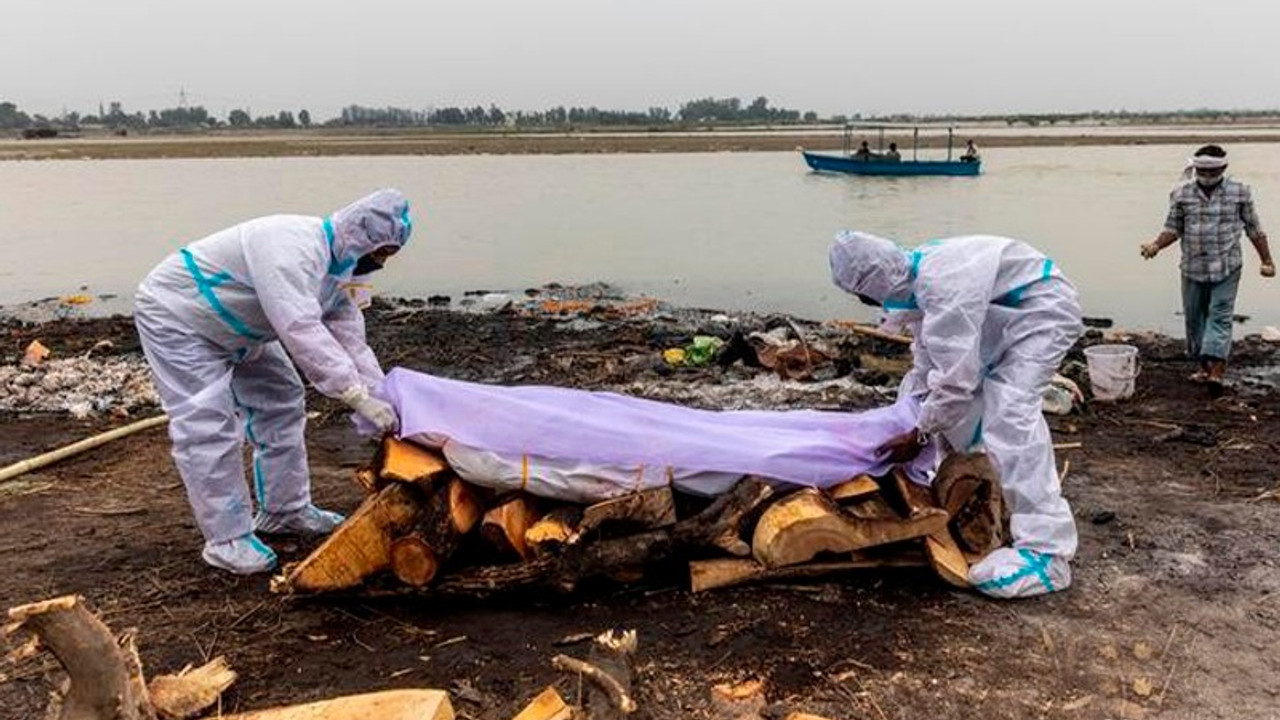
(879, 163)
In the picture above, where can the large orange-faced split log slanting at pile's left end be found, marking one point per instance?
(360, 548)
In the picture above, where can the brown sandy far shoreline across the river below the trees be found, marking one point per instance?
(418, 143)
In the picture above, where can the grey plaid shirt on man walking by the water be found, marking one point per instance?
(1210, 227)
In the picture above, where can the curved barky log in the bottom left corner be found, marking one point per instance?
(106, 676)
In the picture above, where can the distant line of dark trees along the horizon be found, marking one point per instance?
(707, 111)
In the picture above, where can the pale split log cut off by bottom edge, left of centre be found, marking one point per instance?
(390, 705)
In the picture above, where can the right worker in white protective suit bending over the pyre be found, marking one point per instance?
(993, 320)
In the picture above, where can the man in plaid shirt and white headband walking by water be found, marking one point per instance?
(1208, 215)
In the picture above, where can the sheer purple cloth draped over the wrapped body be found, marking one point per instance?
(806, 448)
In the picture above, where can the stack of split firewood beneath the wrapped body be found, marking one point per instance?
(422, 526)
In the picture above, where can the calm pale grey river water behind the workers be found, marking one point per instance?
(743, 231)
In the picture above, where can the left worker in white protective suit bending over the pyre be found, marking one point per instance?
(220, 322)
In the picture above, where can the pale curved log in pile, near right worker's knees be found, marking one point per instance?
(806, 523)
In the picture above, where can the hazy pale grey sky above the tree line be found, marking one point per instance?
(825, 56)
